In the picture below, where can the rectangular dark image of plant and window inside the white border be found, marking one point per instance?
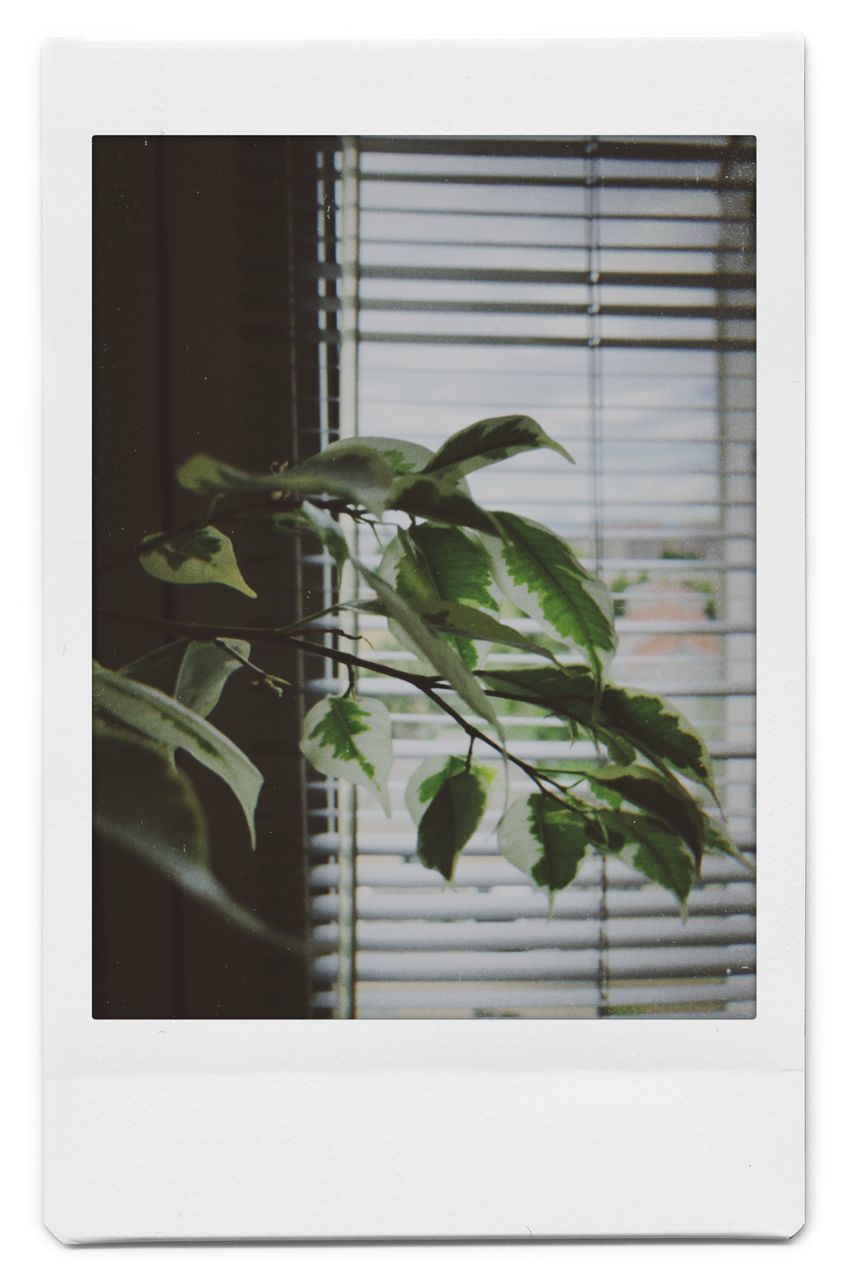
(425, 591)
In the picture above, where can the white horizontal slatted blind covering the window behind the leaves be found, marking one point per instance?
(605, 287)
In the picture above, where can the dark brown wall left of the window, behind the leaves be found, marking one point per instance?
(199, 345)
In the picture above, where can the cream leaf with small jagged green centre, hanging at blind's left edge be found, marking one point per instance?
(350, 738)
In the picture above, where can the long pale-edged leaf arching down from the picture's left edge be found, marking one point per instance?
(172, 725)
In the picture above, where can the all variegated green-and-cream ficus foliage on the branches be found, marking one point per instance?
(453, 582)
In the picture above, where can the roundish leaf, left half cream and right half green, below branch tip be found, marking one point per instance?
(545, 840)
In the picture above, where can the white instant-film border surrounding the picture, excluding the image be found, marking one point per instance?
(189, 1131)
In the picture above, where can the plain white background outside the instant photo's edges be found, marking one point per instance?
(829, 162)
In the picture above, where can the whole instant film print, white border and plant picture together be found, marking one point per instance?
(425, 838)
